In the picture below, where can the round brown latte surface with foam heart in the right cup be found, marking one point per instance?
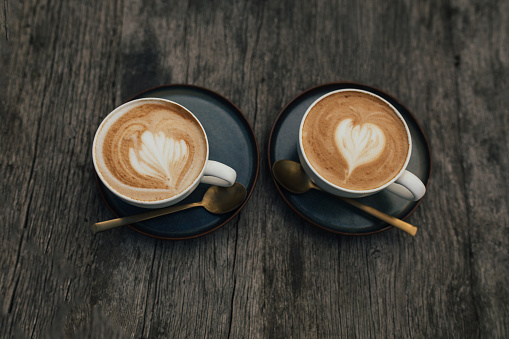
(355, 140)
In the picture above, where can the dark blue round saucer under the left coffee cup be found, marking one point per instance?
(231, 141)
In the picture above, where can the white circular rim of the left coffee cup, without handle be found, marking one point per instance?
(152, 203)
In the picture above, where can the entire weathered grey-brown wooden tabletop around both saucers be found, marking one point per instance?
(266, 274)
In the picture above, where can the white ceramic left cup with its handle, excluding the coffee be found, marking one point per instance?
(213, 172)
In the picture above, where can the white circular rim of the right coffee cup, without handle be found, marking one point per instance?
(359, 192)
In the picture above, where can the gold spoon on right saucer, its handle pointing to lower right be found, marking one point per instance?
(291, 176)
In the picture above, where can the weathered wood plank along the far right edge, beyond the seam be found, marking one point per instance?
(482, 62)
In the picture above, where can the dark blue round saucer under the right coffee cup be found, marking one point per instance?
(324, 210)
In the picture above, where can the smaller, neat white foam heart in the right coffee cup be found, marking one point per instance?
(359, 144)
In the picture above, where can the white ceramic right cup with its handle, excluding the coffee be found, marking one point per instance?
(405, 184)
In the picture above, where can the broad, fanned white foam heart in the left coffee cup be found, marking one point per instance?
(159, 157)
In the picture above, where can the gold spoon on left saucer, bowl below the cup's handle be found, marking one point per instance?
(216, 200)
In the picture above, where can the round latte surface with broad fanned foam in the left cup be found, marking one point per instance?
(151, 152)
